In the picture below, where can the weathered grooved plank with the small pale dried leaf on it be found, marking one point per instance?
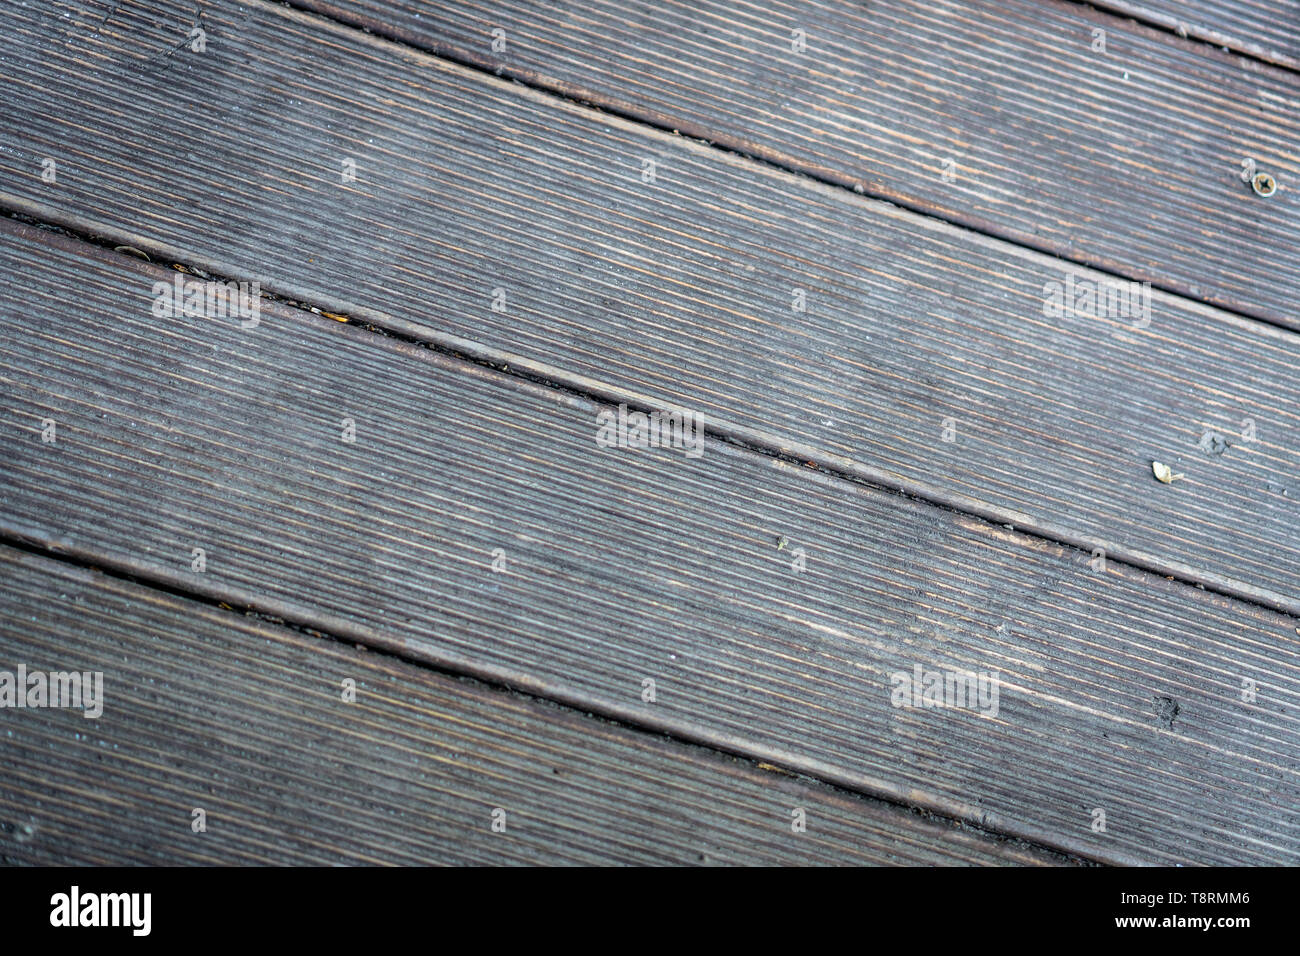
(473, 192)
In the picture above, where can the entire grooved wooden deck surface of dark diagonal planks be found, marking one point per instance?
(467, 254)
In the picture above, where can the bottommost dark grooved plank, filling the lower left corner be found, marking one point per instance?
(246, 721)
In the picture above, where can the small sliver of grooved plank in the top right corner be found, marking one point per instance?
(1268, 29)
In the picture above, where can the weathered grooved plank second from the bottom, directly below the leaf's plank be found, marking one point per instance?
(625, 566)
